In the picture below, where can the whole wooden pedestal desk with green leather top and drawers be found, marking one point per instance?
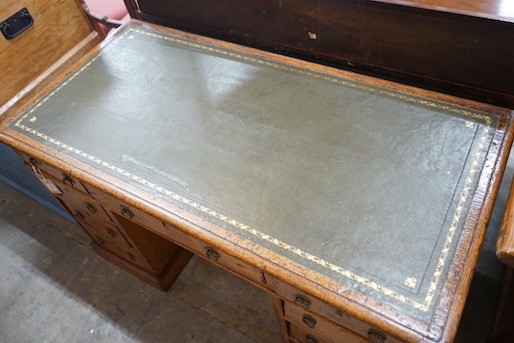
(359, 204)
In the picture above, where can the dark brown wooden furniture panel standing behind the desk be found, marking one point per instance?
(463, 48)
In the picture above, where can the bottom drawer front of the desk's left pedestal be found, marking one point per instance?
(126, 252)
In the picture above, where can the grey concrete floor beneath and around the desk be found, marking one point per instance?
(54, 288)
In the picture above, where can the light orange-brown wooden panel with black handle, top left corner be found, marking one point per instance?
(58, 27)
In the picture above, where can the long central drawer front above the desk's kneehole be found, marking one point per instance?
(188, 242)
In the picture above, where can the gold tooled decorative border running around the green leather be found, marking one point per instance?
(422, 306)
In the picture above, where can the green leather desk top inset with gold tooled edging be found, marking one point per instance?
(367, 186)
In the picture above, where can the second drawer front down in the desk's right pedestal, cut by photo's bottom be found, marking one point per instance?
(320, 327)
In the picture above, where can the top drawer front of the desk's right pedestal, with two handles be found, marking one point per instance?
(312, 304)
